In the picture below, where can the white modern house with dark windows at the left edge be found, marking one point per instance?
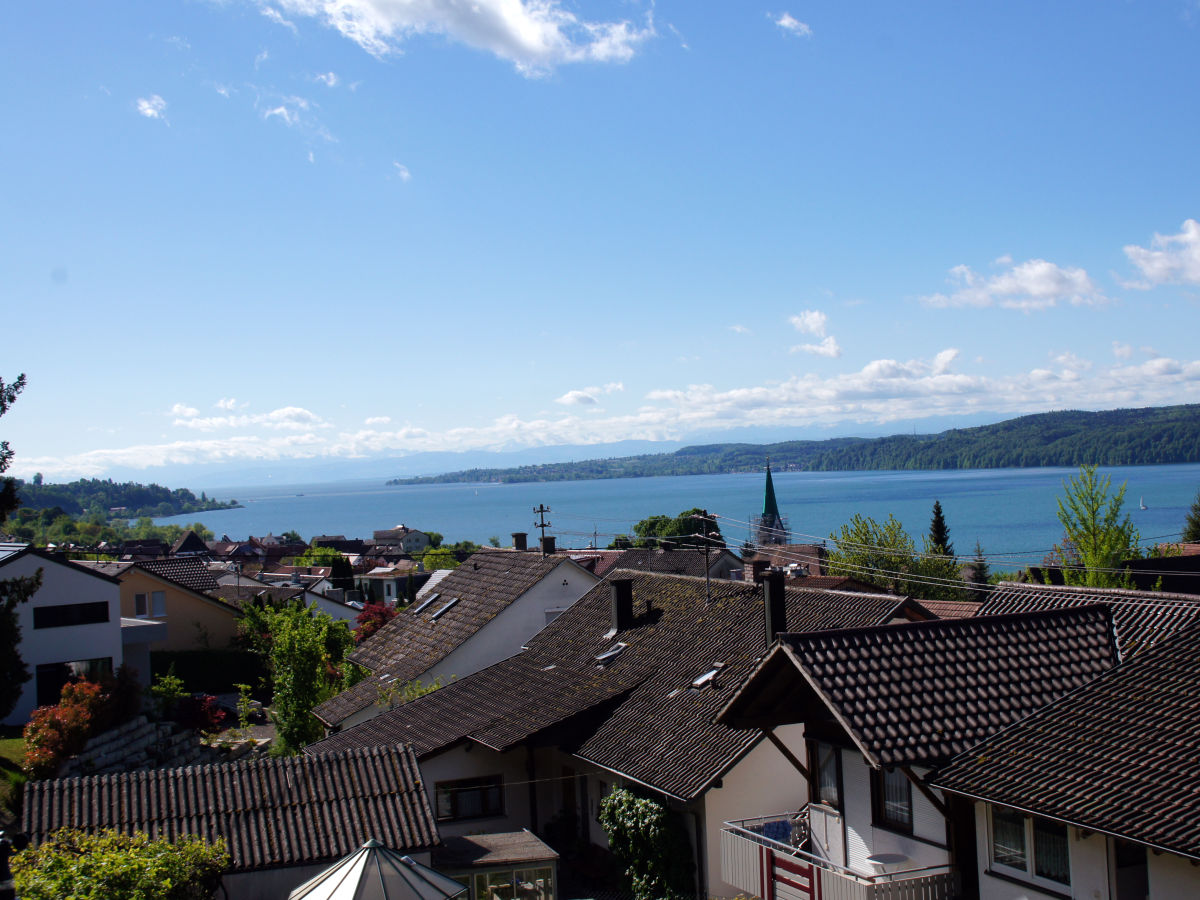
(73, 627)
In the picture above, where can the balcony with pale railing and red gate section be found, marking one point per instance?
(770, 857)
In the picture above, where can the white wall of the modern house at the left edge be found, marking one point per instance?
(63, 584)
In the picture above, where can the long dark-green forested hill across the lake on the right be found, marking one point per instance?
(1118, 437)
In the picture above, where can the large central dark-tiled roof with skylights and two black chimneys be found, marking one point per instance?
(639, 716)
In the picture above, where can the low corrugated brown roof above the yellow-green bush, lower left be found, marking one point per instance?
(272, 812)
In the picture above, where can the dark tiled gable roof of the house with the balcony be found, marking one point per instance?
(923, 692)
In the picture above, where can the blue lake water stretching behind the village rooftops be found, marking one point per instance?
(1010, 512)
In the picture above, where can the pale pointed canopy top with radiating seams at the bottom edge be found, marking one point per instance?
(375, 873)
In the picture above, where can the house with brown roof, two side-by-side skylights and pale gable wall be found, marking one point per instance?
(479, 614)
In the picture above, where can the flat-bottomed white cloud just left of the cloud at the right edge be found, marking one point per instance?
(1034, 285)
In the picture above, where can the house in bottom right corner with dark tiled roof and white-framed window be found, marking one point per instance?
(1096, 794)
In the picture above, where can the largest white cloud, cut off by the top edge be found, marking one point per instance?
(535, 35)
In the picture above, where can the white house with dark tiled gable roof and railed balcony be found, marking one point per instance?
(880, 707)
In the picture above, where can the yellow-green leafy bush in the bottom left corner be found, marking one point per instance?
(110, 865)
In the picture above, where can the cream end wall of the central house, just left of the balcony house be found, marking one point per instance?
(764, 783)
